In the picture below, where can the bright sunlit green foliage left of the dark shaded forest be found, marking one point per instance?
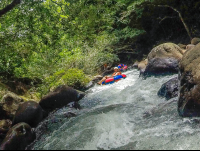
(41, 38)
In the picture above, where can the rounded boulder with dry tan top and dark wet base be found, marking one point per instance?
(164, 59)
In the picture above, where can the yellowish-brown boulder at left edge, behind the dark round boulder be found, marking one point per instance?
(9, 105)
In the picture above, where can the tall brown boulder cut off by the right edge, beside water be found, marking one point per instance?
(189, 100)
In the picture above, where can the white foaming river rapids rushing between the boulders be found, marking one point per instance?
(126, 115)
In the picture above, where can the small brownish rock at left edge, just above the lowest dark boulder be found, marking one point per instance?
(5, 125)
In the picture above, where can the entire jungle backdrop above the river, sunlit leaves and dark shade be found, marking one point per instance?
(67, 41)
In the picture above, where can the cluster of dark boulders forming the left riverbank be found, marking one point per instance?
(19, 117)
